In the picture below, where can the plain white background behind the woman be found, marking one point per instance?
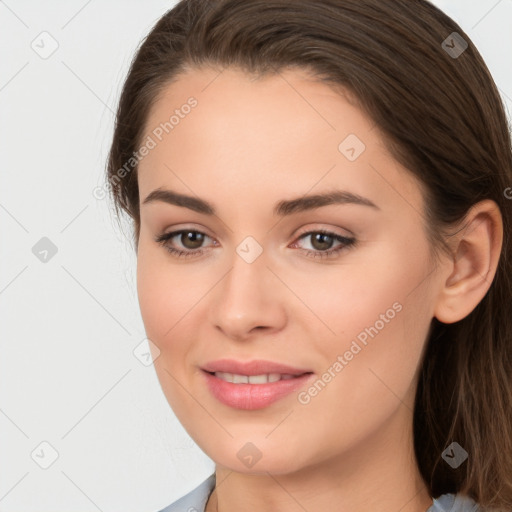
(69, 326)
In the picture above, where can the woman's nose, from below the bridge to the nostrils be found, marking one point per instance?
(249, 299)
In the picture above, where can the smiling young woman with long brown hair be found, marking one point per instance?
(320, 194)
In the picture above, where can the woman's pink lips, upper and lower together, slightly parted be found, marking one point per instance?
(252, 396)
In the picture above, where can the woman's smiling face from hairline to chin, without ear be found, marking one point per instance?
(259, 281)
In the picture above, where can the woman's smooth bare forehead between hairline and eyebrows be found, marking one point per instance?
(286, 132)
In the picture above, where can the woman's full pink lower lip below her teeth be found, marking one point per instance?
(253, 396)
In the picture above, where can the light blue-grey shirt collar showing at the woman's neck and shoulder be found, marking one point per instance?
(195, 500)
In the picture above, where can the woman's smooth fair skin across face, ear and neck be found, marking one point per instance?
(247, 145)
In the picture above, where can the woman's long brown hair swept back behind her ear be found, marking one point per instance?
(441, 116)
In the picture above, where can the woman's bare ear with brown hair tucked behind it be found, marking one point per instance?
(476, 249)
